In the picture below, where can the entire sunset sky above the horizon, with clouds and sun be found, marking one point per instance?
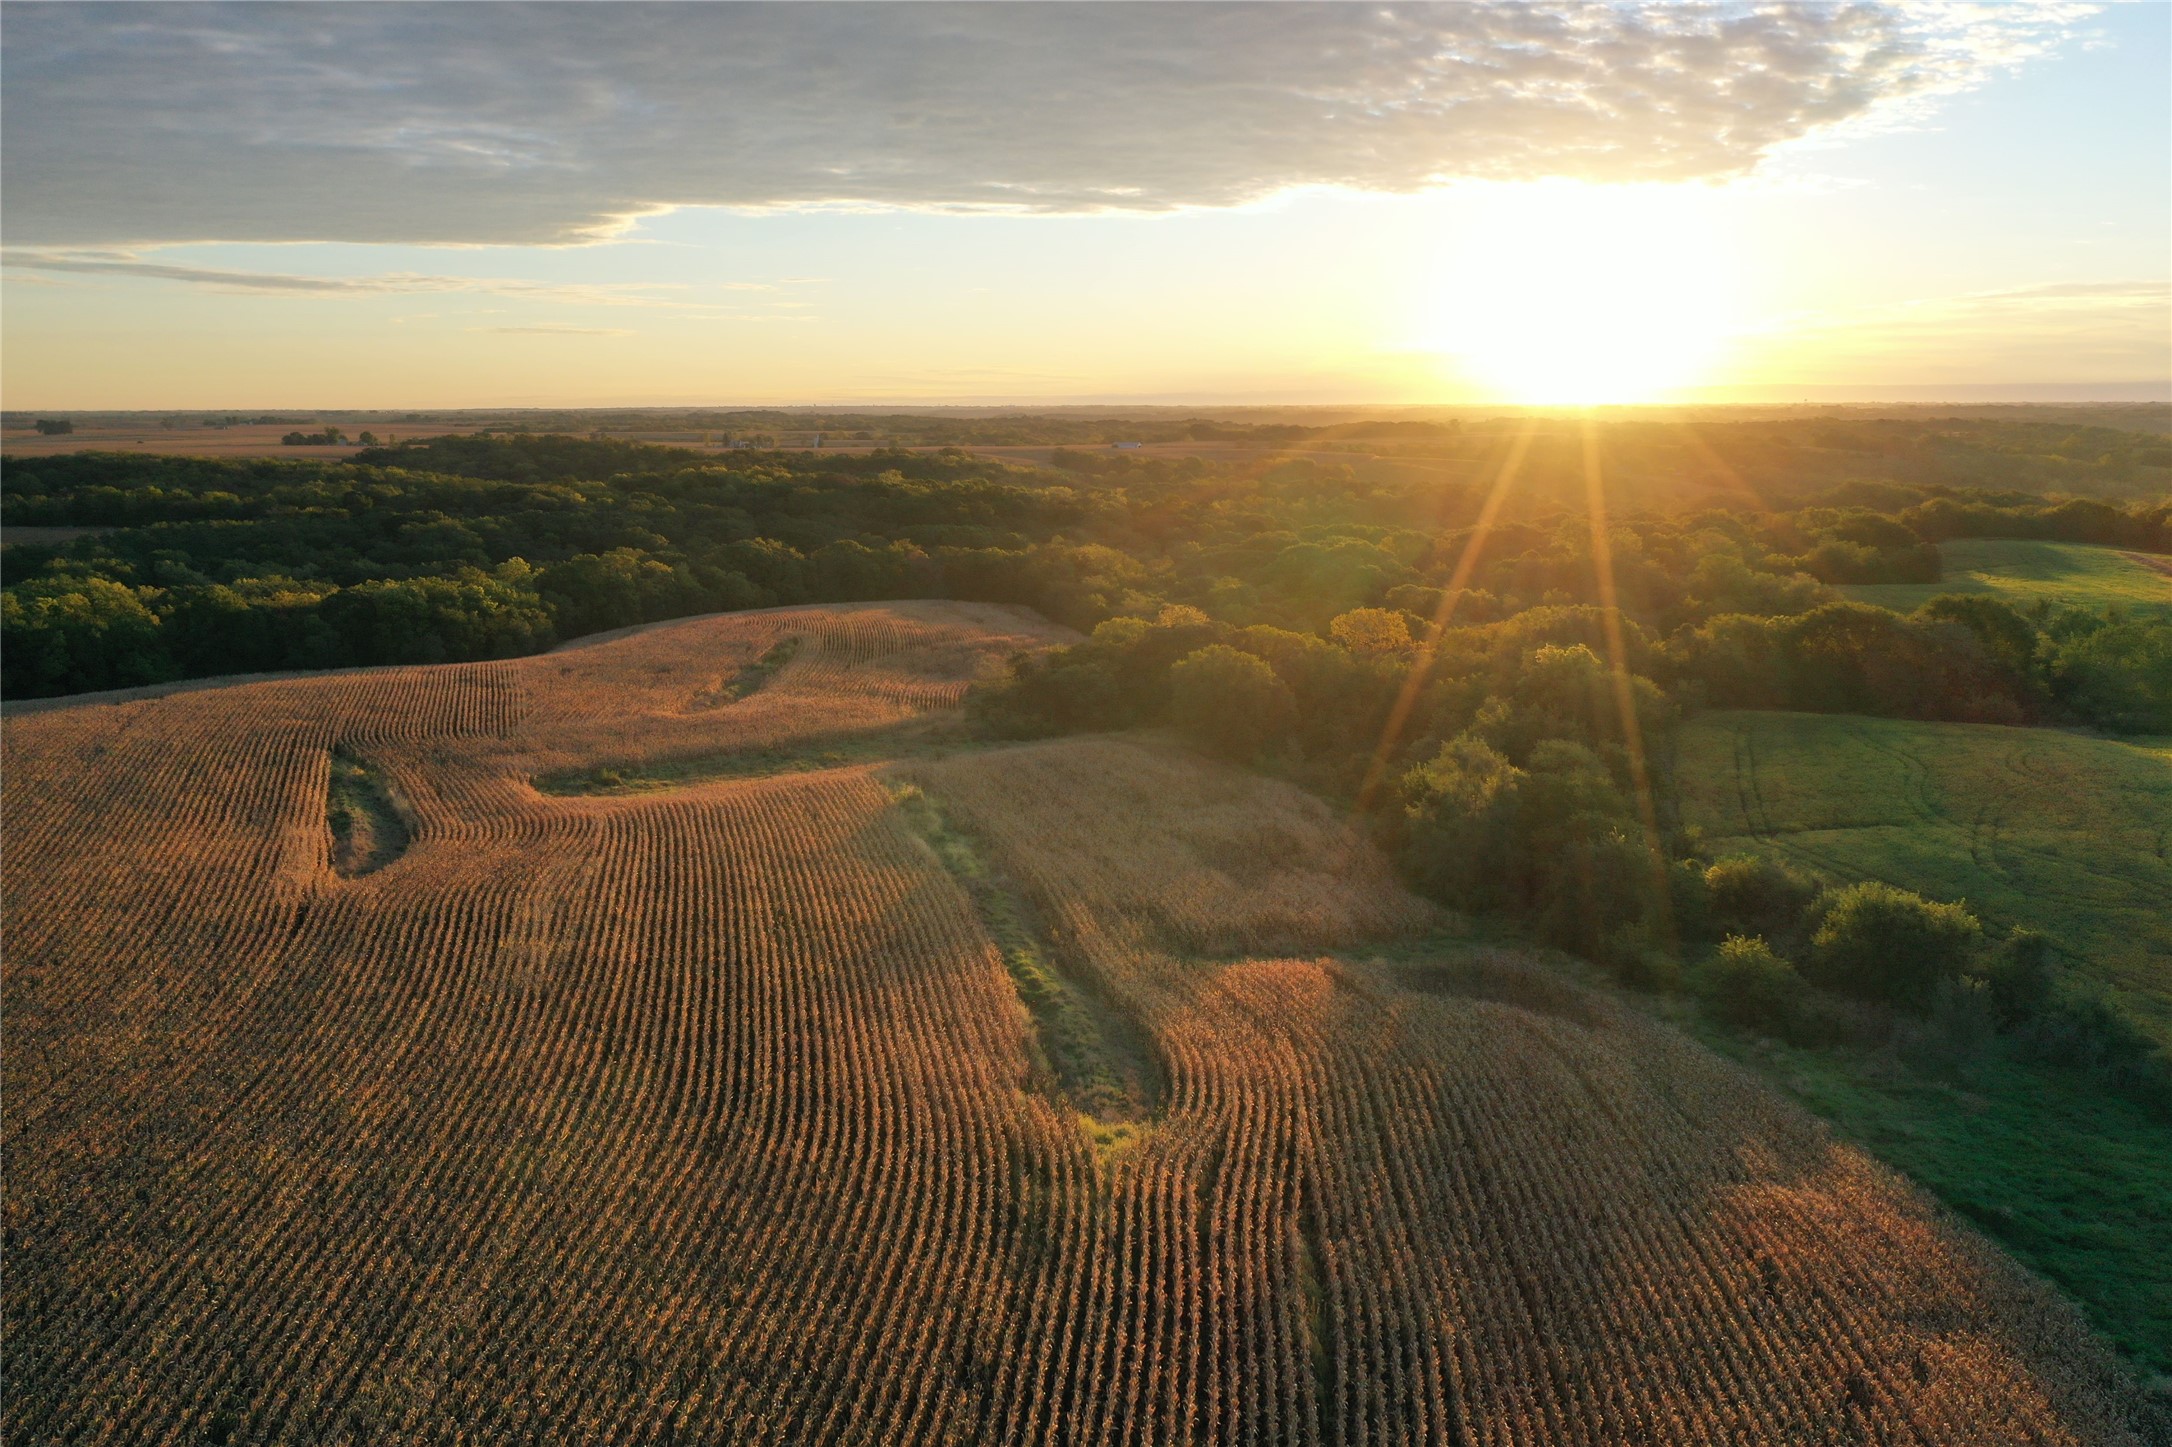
(707, 205)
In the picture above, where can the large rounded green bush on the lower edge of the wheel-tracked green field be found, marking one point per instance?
(1886, 944)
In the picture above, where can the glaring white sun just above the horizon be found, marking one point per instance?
(1565, 294)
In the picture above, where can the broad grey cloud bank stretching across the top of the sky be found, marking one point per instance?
(542, 125)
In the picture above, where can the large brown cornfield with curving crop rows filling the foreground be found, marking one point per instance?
(1078, 1092)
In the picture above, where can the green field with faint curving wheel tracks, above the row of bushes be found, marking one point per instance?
(2032, 827)
